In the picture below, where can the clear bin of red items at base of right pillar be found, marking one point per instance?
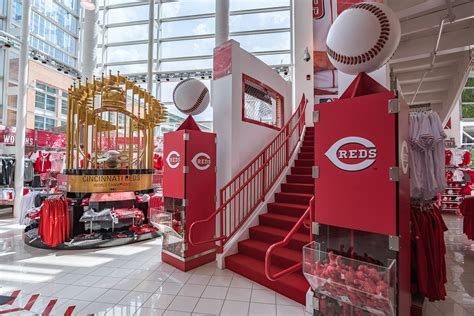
(363, 285)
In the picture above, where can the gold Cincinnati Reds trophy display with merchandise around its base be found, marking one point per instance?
(107, 167)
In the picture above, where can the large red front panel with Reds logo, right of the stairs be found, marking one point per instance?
(354, 158)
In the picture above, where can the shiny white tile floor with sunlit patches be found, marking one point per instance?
(127, 280)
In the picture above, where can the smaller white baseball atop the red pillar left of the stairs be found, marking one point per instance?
(191, 96)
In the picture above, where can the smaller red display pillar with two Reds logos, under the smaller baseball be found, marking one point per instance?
(189, 191)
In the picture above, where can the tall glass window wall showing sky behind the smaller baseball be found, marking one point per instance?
(185, 36)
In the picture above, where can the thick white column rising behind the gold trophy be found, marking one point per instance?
(90, 39)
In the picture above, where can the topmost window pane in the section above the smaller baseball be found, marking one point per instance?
(187, 7)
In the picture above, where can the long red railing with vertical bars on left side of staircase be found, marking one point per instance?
(245, 191)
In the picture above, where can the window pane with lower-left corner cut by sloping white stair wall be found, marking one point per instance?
(264, 42)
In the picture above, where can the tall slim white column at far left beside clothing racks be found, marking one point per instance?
(21, 107)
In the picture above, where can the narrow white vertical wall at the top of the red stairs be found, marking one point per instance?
(302, 39)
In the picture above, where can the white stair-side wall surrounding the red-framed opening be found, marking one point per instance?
(239, 142)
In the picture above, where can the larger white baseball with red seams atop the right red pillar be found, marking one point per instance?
(363, 38)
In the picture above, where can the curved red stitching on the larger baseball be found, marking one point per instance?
(374, 51)
